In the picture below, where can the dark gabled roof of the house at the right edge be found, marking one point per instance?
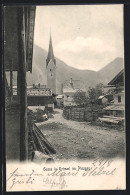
(118, 79)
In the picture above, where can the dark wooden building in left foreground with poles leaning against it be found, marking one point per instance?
(22, 135)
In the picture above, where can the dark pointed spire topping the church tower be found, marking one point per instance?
(50, 55)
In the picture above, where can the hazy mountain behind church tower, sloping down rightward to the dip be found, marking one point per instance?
(64, 72)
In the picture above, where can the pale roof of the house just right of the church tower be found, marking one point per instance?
(73, 86)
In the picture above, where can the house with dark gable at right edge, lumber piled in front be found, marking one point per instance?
(115, 111)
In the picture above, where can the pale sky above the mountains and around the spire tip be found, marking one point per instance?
(83, 36)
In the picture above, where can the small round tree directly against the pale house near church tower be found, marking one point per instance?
(80, 97)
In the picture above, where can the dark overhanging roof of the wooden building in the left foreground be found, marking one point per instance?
(11, 36)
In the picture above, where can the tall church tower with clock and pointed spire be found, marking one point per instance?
(51, 68)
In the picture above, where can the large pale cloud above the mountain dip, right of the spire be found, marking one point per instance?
(87, 53)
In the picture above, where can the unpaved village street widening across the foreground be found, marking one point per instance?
(80, 140)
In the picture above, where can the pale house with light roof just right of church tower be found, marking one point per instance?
(70, 87)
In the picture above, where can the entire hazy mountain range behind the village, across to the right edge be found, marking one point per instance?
(65, 72)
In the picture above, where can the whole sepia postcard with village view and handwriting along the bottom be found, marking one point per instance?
(64, 97)
